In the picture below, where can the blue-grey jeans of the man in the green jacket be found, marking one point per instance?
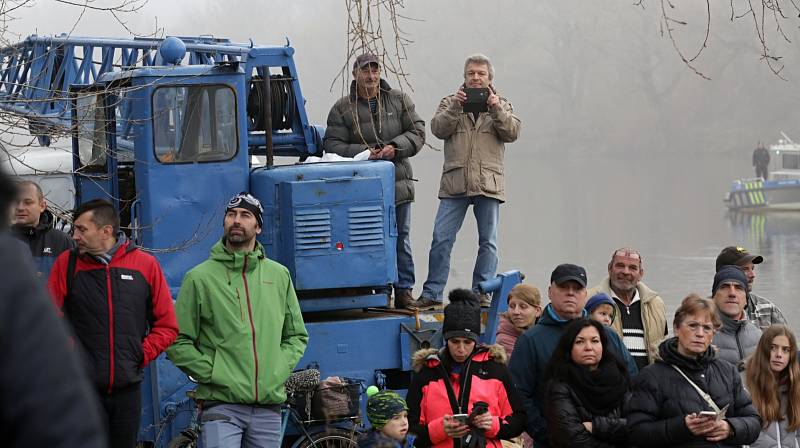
(229, 425)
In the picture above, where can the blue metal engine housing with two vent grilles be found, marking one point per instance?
(331, 224)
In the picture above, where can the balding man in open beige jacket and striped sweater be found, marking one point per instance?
(641, 315)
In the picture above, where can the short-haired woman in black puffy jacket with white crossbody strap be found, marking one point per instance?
(670, 396)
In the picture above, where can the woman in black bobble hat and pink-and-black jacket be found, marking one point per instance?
(463, 390)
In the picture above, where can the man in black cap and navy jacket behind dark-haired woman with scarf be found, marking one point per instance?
(535, 347)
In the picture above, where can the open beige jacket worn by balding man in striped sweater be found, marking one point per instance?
(654, 315)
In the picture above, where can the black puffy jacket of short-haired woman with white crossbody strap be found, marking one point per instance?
(662, 398)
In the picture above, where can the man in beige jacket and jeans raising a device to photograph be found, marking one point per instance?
(474, 147)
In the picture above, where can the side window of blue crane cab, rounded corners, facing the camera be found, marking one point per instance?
(194, 124)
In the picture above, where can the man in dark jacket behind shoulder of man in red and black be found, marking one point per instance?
(33, 224)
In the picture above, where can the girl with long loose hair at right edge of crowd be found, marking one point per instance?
(773, 379)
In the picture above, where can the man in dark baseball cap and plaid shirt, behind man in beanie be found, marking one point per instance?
(760, 310)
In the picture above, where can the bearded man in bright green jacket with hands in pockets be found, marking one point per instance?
(241, 333)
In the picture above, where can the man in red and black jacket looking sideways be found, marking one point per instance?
(116, 299)
